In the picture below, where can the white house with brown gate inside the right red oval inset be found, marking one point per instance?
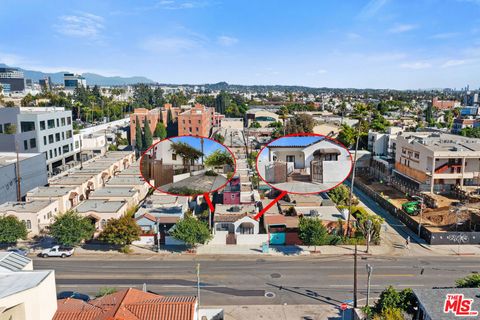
(322, 162)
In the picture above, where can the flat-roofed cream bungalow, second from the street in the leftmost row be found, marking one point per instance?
(67, 197)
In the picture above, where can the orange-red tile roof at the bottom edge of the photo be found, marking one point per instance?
(130, 304)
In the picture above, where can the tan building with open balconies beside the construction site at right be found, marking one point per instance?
(436, 162)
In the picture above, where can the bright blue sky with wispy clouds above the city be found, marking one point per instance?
(399, 44)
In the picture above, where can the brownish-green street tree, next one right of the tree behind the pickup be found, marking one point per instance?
(122, 231)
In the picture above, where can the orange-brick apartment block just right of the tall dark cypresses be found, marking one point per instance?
(198, 121)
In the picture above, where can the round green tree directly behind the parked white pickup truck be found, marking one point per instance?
(71, 228)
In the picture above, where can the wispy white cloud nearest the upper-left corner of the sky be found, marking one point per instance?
(81, 25)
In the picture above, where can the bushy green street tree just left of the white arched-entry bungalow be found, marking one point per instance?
(191, 231)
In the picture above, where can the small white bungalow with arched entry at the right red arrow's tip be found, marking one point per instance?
(236, 225)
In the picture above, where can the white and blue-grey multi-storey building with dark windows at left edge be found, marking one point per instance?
(45, 130)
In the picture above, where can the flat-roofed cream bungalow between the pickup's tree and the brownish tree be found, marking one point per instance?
(100, 210)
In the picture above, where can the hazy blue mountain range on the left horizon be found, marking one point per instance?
(92, 78)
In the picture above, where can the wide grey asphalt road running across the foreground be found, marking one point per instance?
(249, 280)
